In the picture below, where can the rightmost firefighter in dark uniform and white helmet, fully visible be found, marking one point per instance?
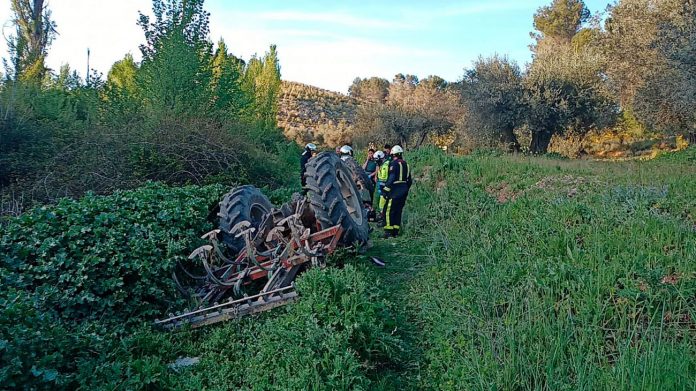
(395, 192)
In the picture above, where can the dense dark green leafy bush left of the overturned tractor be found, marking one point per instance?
(78, 272)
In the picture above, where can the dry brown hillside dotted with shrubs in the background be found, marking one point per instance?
(307, 113)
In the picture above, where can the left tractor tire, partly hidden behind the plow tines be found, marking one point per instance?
(244, 203)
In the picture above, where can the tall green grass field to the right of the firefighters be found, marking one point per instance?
(583, 278)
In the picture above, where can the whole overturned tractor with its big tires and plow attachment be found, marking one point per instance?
(252, 259)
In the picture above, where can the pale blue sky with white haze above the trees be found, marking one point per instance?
(324, 43)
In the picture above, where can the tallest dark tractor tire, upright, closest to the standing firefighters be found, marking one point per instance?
(335, 199)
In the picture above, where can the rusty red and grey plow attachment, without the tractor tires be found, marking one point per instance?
(261, 275)
